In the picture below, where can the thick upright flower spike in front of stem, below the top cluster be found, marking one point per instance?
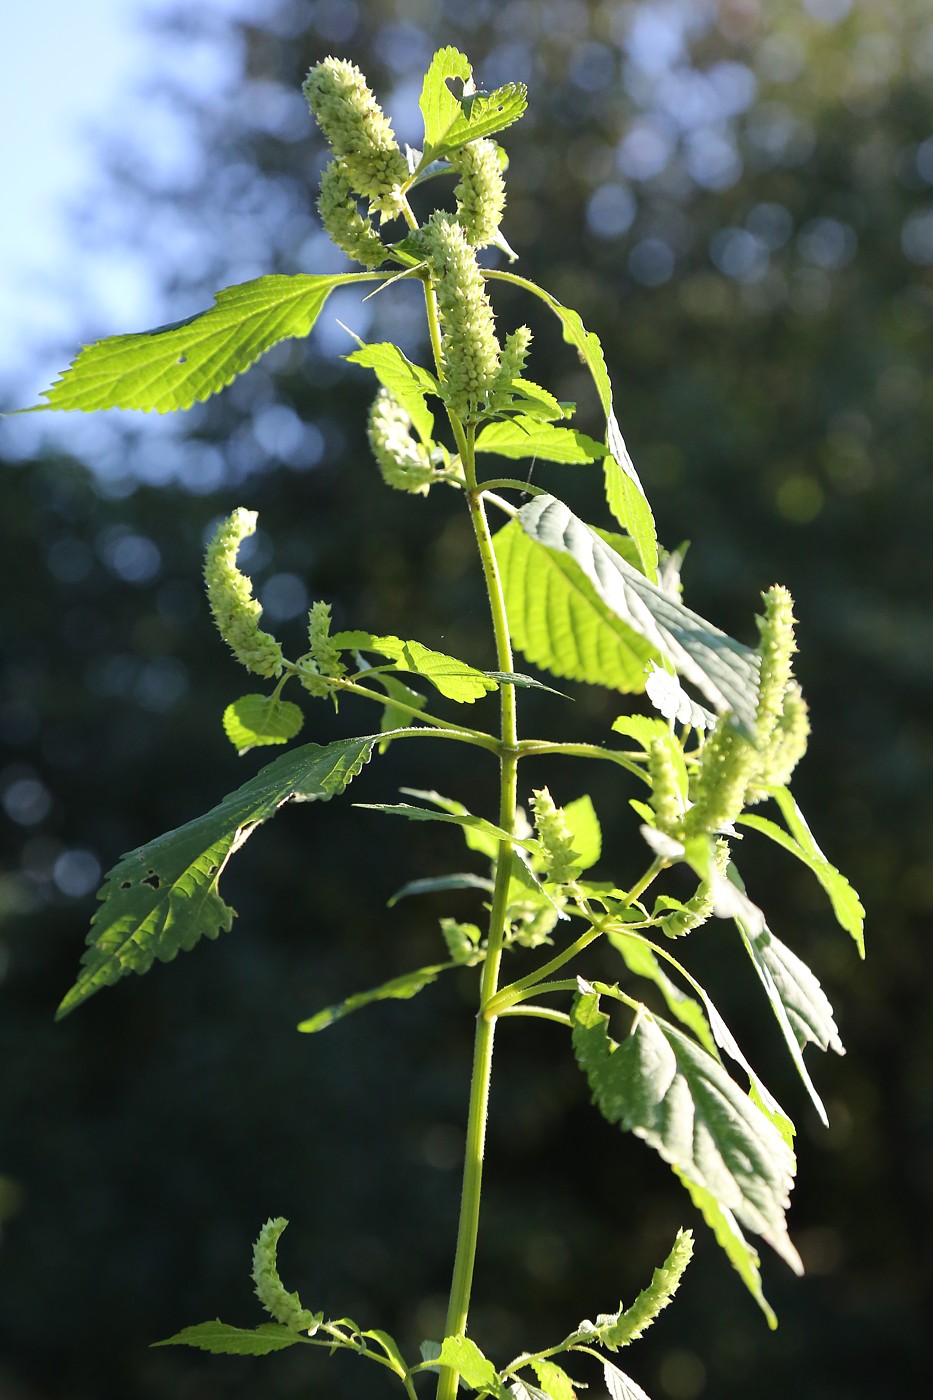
(470, 345)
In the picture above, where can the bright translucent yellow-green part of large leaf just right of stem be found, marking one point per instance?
(560, 621)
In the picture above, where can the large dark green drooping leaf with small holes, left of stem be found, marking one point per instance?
(163, 898)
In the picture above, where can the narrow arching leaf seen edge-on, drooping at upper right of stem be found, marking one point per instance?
(624, 491)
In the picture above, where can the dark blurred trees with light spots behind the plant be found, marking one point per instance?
(739, 199)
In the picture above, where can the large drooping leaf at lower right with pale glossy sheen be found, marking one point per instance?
(669, 1091)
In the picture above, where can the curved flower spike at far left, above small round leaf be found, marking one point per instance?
(230, 596)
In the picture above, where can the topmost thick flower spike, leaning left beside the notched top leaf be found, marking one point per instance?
(358, 132)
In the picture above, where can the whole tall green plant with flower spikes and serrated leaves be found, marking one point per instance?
(724, 729)
